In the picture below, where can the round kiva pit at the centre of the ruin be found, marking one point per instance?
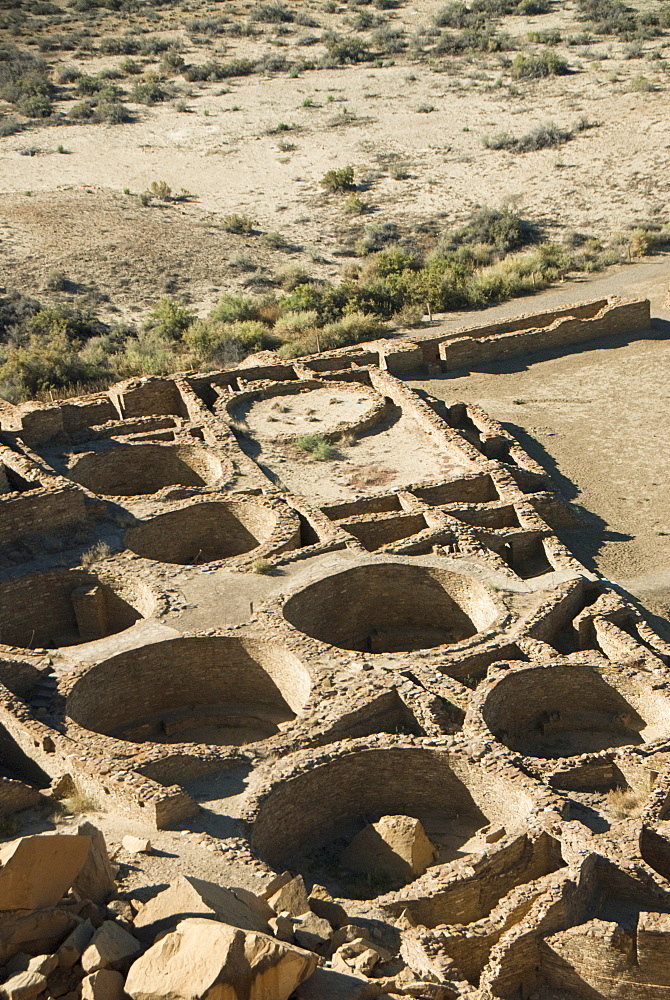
(392, 608)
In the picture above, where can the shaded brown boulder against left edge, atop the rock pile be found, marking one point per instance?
(36, 871)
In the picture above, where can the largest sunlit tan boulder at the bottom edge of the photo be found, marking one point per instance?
(206, 960)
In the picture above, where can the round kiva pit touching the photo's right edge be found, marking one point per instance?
(566, 710)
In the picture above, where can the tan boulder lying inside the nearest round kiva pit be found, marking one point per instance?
(395, 847)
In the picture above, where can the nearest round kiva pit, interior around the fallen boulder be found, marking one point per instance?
(311, 821)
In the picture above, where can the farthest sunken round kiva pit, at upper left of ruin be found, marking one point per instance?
(140, 469)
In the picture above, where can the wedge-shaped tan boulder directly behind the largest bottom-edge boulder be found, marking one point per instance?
(189, 897)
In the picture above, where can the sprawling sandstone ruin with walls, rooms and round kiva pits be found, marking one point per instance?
(454, 739)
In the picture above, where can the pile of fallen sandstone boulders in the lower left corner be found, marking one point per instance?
(67, 933)
